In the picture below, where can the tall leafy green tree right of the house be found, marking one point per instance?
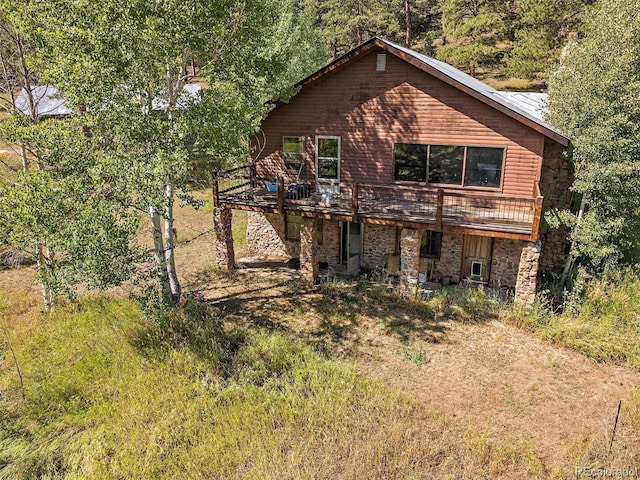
(594, 101)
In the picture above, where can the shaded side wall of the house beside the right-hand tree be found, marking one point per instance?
(555, 180)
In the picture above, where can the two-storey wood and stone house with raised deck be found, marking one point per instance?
(387, 158)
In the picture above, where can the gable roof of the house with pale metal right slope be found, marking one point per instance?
(526, 108)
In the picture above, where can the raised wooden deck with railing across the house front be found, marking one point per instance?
(433, 209)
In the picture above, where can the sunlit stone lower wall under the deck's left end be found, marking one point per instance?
(266, 236)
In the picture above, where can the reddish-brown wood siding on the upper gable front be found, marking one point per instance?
(372, 110)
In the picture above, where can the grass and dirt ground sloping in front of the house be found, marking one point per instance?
(269, 379)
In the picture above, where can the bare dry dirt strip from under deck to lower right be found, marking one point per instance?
(501, 380)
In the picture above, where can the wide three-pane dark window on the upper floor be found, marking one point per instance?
(449, 164)
